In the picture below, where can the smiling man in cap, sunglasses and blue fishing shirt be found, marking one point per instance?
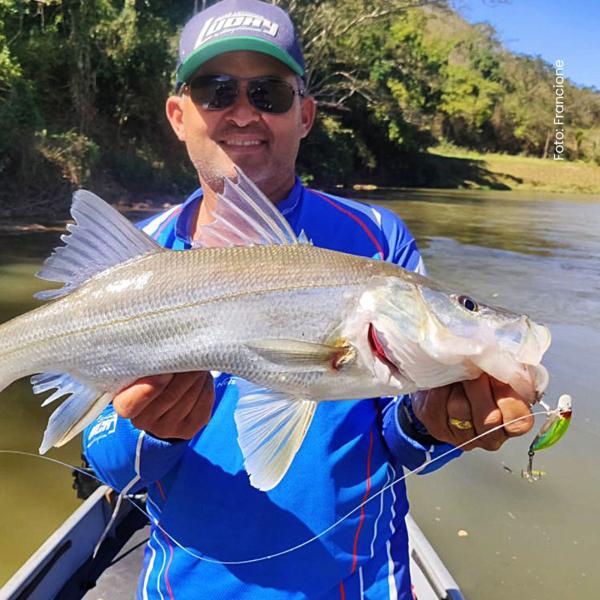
(241, 102)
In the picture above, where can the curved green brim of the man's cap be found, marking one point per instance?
(231, 44)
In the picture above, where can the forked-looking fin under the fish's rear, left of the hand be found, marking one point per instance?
(82, 406)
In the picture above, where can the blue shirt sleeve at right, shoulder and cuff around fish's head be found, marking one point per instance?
(405, 436)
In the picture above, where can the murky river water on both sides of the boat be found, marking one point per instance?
(538, 254)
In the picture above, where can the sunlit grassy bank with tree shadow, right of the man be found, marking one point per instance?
(458, 168)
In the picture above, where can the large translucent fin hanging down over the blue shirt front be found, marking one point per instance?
(271, 428)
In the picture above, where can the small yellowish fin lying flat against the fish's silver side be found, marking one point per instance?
(303, 354)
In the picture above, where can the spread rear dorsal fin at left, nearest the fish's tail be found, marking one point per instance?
(100, 238)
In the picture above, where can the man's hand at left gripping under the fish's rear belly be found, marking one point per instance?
(168, 406)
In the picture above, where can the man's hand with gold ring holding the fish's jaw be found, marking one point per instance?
(483, 402)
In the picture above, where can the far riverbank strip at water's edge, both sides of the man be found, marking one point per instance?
(446, 167)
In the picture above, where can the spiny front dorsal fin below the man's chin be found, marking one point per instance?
(244, 216)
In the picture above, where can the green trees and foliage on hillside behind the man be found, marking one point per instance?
(83, 84)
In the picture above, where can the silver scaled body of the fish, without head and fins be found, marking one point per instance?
(193, 310)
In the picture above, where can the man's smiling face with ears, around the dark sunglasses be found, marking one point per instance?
(263, 145)
